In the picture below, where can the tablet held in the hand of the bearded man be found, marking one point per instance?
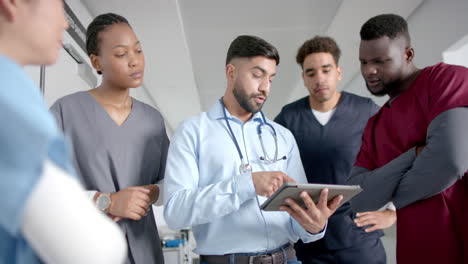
(293, 190)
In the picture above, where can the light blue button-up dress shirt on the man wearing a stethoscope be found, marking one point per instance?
(204, 189)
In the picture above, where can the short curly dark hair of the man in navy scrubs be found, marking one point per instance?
(317, 45)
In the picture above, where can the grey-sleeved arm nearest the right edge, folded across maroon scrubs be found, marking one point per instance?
(442, 162)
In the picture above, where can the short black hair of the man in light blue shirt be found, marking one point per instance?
(251, 46)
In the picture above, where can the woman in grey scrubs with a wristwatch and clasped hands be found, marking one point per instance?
(120, 144)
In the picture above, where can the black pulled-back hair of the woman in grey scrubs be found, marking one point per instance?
(100, 24)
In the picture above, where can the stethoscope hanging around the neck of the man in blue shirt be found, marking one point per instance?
(245, 166)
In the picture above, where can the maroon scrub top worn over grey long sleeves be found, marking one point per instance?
(433, 230)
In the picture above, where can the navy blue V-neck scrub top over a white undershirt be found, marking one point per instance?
(328, 153)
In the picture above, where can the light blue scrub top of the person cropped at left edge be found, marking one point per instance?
(28, 136)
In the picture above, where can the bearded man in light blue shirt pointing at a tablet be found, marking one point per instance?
(219, 171)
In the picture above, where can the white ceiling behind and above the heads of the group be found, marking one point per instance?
(186, 41)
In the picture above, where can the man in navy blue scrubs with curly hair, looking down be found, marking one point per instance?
(328, 127)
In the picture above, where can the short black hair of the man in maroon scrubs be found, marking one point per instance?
(389, 25)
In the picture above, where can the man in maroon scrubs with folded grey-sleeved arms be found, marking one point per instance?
(414, 150)
